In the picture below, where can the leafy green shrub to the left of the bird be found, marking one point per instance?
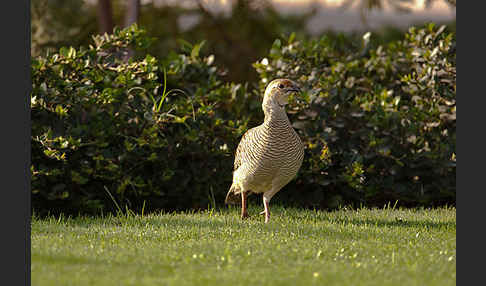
(138, 134)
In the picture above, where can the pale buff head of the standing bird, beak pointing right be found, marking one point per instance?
(277, 93)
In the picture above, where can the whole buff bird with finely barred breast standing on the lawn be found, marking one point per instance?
(269, 155)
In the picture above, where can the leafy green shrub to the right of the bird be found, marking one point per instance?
(380, 122)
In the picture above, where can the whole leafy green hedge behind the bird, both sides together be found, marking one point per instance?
(108, 134)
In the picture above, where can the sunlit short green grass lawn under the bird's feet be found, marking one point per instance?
(298, 247)
